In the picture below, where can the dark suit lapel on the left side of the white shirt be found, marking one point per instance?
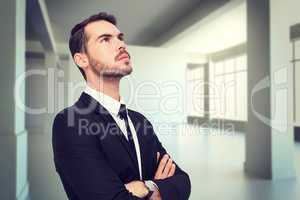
(109, 122)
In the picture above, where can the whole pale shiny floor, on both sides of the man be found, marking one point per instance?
(214, 161)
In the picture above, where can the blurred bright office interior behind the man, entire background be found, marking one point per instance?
(218, 79)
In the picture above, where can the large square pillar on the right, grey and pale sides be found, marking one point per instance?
(269, 141)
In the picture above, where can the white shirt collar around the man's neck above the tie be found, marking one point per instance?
(109, 103)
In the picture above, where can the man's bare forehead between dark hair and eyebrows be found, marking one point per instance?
(94, 29)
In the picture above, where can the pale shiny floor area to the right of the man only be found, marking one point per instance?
(216, 170)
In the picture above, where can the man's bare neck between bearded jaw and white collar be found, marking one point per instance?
(108, 86)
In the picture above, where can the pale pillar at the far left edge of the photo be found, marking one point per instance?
(13, 141)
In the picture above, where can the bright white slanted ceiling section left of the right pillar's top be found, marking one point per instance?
(224, 28)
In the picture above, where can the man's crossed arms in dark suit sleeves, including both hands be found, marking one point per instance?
(85, 172)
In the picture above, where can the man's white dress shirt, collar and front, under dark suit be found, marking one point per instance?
(113, 107)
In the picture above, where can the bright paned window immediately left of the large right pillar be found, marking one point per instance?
(228, 88)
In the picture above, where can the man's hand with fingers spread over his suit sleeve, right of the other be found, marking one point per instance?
(166, 167)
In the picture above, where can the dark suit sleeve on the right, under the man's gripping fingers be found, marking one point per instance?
(177, 187)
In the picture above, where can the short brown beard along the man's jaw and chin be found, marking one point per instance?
(106, 71)
